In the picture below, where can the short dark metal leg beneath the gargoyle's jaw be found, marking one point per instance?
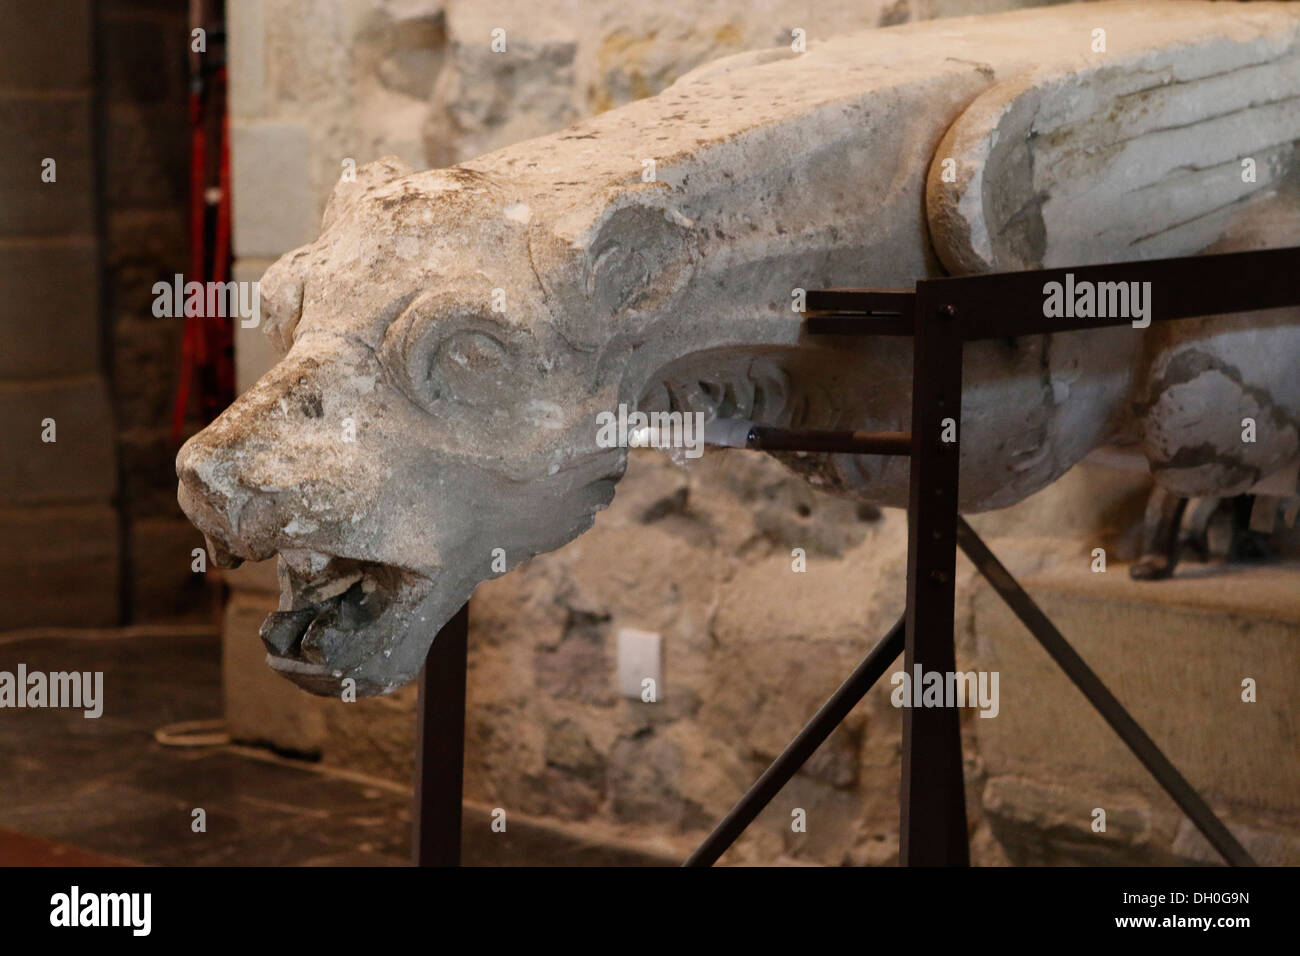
(440, 754)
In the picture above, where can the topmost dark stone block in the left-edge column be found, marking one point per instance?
(46, 46)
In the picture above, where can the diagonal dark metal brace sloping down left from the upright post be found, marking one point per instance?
(826, 720)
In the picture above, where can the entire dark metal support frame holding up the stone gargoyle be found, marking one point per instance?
(942, 315)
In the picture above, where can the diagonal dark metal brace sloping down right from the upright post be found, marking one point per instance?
(1143, 747)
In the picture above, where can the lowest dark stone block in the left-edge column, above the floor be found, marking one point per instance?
(59, 566)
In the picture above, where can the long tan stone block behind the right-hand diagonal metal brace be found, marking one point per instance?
(1177, 656)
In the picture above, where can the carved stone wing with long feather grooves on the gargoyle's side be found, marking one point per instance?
(1138, 161)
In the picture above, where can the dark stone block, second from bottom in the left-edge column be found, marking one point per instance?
(80, 466)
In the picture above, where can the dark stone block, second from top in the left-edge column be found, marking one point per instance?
(40, 128)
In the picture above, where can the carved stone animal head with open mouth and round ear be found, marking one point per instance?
(434, 417)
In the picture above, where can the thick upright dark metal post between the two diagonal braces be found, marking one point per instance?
(933, 829)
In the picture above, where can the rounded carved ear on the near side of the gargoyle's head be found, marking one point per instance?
(625, 258)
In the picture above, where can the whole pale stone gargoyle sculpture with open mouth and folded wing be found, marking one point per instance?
(452, 338)
